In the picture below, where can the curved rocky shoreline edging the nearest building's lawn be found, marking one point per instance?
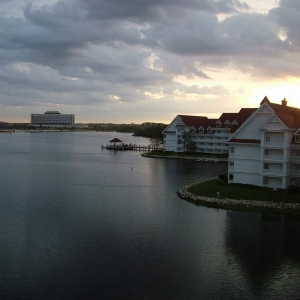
(234, 204)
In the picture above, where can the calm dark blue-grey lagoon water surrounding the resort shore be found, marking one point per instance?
(81, 222)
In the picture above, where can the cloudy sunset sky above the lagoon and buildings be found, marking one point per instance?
(146, 61)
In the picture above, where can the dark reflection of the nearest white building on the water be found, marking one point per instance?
(265, 251)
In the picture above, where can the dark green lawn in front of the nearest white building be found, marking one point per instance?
(210, 189)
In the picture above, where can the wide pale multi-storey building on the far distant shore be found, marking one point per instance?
(52, 119)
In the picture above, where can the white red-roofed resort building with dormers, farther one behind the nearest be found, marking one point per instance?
(208, 135)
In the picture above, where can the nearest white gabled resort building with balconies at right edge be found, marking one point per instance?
(265, 149)
